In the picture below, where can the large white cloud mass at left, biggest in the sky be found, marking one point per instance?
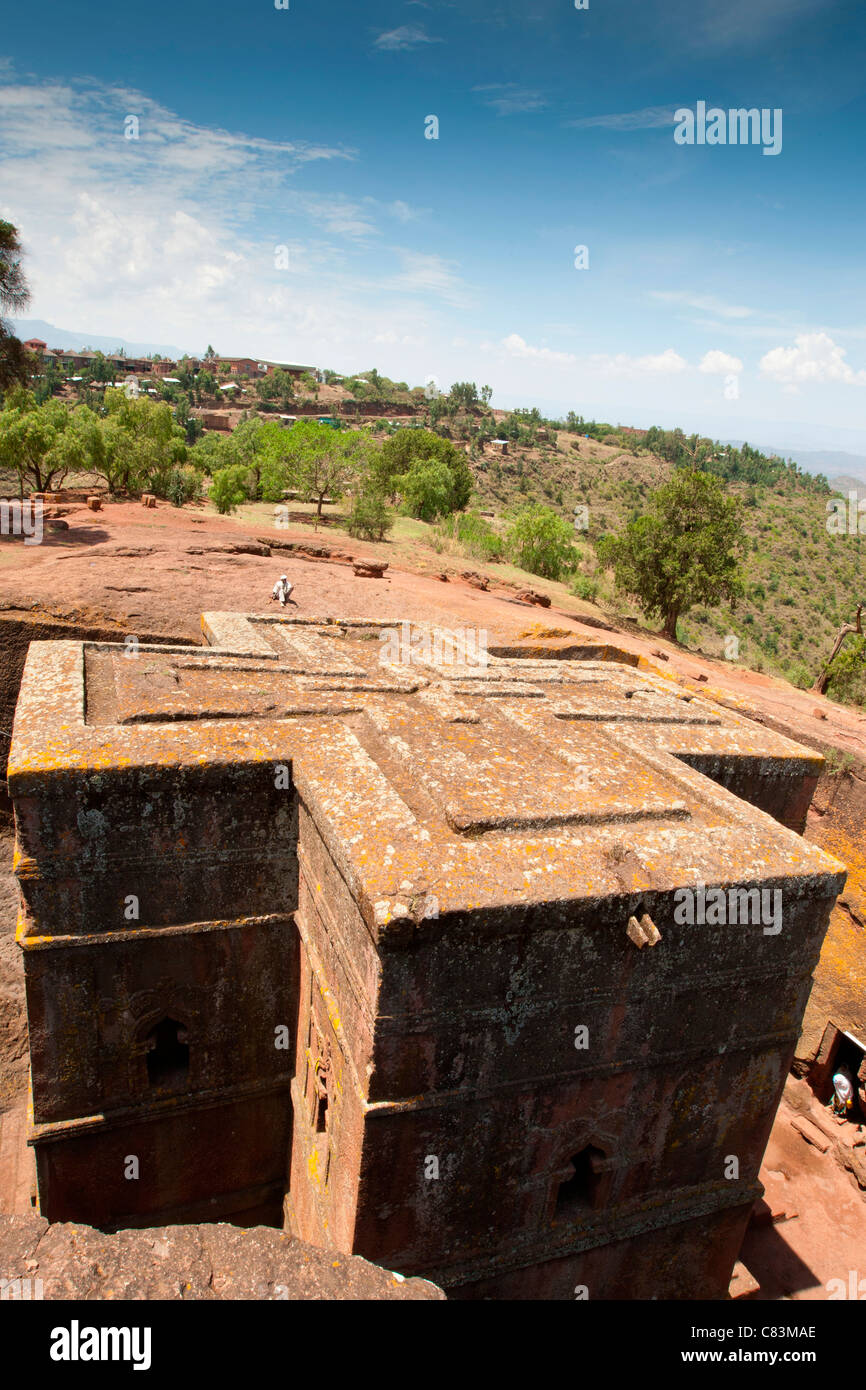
(173, 237)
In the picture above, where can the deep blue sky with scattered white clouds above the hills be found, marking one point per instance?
(725, 288)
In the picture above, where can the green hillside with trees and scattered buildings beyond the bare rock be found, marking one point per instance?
(725, 550)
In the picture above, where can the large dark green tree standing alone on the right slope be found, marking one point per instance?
(685, 551)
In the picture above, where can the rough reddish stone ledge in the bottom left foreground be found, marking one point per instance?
(190, 1263)
